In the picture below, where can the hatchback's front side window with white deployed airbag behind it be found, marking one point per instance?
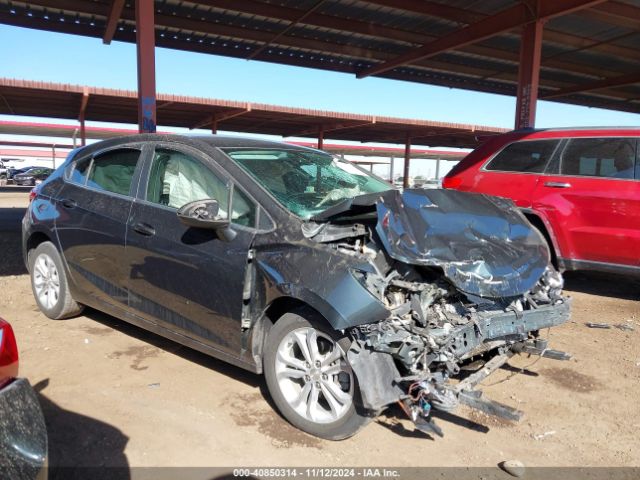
(177, 179)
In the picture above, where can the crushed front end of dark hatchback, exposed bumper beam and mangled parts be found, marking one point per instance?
(434, 331)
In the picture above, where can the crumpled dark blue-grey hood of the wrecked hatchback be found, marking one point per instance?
(484, 244)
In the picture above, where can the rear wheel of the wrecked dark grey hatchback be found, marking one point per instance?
(49, 283)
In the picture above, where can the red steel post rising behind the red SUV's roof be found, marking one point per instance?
(529, 74)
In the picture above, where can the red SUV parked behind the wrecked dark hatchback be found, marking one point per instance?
(580, 187)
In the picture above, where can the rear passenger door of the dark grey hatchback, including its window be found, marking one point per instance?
(93, 206)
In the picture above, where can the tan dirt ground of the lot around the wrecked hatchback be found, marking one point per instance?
(116, 395)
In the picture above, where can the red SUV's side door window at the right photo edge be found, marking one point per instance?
(600, 157)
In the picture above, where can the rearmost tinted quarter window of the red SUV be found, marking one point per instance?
(528, 156)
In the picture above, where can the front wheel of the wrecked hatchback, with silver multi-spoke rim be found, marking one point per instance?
(309, 377)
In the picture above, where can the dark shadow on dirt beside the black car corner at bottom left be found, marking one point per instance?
(81, 447)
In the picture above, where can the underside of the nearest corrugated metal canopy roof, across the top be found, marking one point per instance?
(595, 43)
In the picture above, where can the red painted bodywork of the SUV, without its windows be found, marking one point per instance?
(593, 222)
